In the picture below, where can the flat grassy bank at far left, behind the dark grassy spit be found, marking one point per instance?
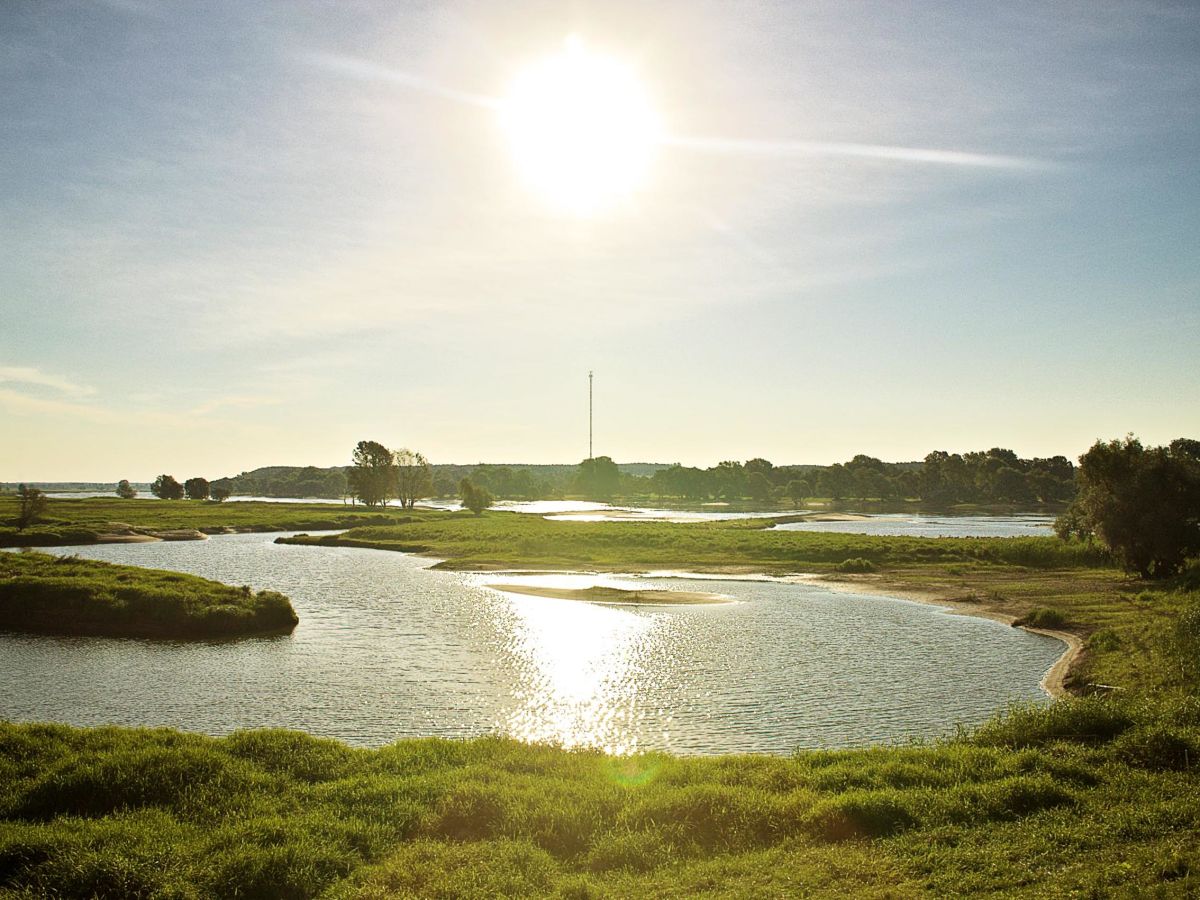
(85, 521)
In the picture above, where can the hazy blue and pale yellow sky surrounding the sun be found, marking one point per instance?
(248, 235)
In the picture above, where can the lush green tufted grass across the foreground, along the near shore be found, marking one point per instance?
(1087, 799)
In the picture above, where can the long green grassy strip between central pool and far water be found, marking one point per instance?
(514, 541)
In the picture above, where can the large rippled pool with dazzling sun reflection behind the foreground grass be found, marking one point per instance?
(388, 649)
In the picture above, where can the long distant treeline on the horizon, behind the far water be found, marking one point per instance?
(987, 477)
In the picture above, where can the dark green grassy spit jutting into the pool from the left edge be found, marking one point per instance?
(67, 596)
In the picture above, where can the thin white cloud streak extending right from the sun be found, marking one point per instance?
(734, 147)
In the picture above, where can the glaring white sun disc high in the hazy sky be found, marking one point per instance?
(581, 129)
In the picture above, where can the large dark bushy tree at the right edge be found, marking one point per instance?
(1143, 505)
